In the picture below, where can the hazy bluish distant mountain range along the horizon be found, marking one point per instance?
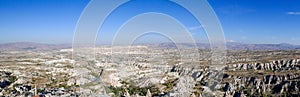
(229, 46)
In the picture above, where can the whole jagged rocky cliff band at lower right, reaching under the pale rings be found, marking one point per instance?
(276, 78)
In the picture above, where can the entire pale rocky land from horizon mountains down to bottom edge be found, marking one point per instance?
(150, 70)
